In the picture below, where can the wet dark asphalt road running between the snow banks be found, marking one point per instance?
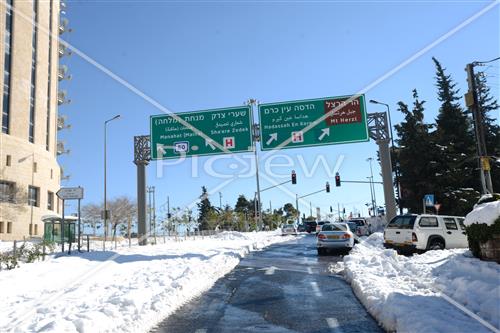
(284, 288)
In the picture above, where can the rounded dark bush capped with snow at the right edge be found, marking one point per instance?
(483, 227)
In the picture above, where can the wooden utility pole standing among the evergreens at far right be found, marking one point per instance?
(472, 102)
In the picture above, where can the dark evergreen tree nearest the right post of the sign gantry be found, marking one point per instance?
(415, 166)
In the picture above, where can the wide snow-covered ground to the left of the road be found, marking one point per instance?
(127, 290)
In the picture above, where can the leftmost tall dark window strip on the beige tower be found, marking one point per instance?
(7, 67)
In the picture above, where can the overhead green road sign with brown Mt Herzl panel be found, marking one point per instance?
(313, 122)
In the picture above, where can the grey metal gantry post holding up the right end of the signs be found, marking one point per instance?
(379, 131)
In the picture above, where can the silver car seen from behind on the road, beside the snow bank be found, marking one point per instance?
(334, 236)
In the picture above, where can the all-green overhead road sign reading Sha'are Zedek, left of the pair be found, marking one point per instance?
(216, 131)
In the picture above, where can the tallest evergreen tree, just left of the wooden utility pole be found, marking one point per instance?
(457, 165)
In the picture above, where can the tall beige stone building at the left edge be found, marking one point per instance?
(29, 172)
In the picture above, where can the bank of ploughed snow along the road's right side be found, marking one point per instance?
(415, 294)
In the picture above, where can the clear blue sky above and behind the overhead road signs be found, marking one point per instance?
(198, 55)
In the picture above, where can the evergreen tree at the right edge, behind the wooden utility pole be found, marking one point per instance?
(488, 104)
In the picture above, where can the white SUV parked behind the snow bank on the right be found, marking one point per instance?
(425, 232)
